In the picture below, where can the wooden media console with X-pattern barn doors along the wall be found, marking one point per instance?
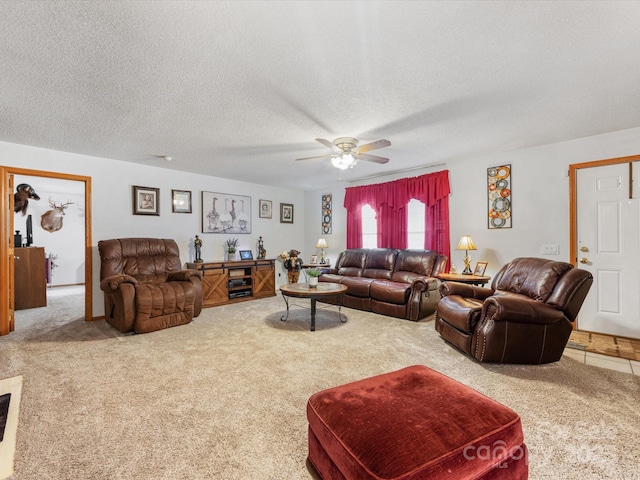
(229, 282)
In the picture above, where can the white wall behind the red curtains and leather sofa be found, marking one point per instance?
(540, 199)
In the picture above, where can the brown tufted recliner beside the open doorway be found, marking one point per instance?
(145, 288)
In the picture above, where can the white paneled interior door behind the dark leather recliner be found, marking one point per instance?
(608, 246)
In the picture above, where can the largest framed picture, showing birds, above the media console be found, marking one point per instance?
(225, 213)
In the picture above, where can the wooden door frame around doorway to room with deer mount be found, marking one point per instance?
(6, 244)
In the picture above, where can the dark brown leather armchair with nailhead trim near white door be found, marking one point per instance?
(525, 317)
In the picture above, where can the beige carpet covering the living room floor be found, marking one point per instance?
(225, 396)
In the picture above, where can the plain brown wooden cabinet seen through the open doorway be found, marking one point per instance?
(30, 278)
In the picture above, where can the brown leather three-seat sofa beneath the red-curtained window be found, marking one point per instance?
(397, 283)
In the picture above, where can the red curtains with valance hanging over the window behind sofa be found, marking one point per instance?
(390, 200)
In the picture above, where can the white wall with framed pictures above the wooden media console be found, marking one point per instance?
(112, 216)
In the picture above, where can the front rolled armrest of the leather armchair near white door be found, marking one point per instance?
(519, 310)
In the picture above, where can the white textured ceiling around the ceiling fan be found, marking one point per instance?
(240, 89)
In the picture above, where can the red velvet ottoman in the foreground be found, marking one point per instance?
(414, 423)
